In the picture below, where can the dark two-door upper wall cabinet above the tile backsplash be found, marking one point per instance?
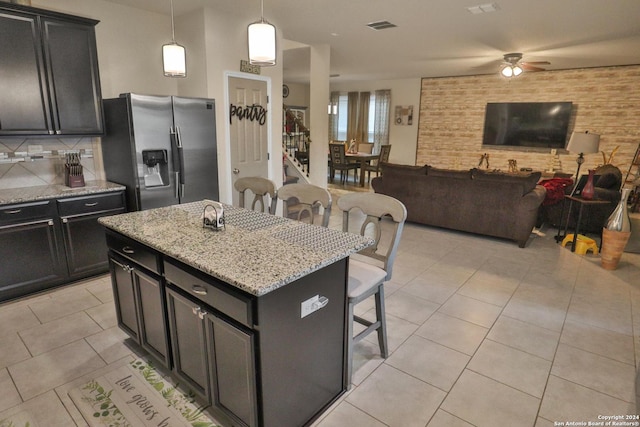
(49, 80)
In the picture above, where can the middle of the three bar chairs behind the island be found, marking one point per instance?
(303, 201)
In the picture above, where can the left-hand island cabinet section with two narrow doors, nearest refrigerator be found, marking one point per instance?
(139, 296)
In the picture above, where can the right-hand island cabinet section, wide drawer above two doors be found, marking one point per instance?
(207, 316)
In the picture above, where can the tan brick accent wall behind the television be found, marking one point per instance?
(605, 101)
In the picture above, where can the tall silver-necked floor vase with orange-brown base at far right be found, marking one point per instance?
(615, 234)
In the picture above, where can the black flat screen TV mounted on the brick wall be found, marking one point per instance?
(527, 124)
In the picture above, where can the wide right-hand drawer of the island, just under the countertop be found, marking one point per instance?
(205, 289)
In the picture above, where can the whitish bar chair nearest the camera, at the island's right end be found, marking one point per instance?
(383, 220)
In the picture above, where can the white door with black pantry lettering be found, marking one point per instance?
(248, 129)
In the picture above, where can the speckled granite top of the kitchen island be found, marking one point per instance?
(255, 252)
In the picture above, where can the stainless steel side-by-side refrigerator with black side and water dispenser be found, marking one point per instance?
(162, 148)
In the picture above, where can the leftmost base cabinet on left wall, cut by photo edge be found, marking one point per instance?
(31, 251)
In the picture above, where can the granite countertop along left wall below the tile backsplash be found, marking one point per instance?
(55, 191)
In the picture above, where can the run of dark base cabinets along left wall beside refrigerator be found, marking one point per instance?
(51, 242)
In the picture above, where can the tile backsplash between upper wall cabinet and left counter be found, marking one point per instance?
(28, 162)
